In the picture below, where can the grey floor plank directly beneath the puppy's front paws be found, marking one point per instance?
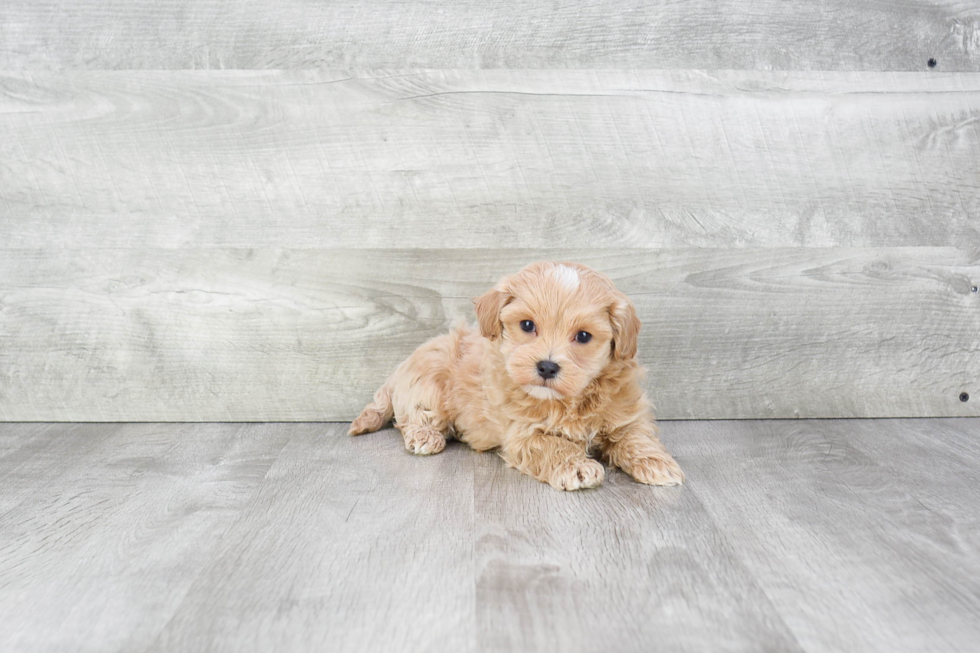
(625, 568)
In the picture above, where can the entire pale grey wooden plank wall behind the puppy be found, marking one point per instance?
(214, 211)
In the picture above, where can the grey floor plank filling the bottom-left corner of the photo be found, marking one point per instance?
(123, 530)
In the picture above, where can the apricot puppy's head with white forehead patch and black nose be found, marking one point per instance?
(558, 326)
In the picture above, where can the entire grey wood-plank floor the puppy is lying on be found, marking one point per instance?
(789, 535)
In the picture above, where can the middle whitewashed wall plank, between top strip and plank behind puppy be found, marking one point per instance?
(503, 159)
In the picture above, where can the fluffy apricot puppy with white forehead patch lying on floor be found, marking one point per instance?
(550, 377)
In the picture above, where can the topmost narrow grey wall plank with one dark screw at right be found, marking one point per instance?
(753, 34)
